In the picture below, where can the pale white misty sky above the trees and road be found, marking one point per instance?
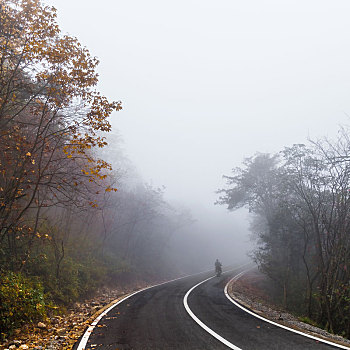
(206, 83)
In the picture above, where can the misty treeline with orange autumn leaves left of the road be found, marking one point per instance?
(68, 223)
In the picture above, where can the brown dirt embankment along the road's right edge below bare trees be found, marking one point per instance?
(253, 290)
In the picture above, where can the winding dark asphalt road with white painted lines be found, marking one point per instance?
(157, 319)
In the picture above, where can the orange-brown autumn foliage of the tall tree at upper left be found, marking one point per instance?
(51, 119)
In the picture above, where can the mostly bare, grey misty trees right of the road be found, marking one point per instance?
(300, 198)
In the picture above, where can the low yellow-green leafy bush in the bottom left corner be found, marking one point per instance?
(21, 301)
